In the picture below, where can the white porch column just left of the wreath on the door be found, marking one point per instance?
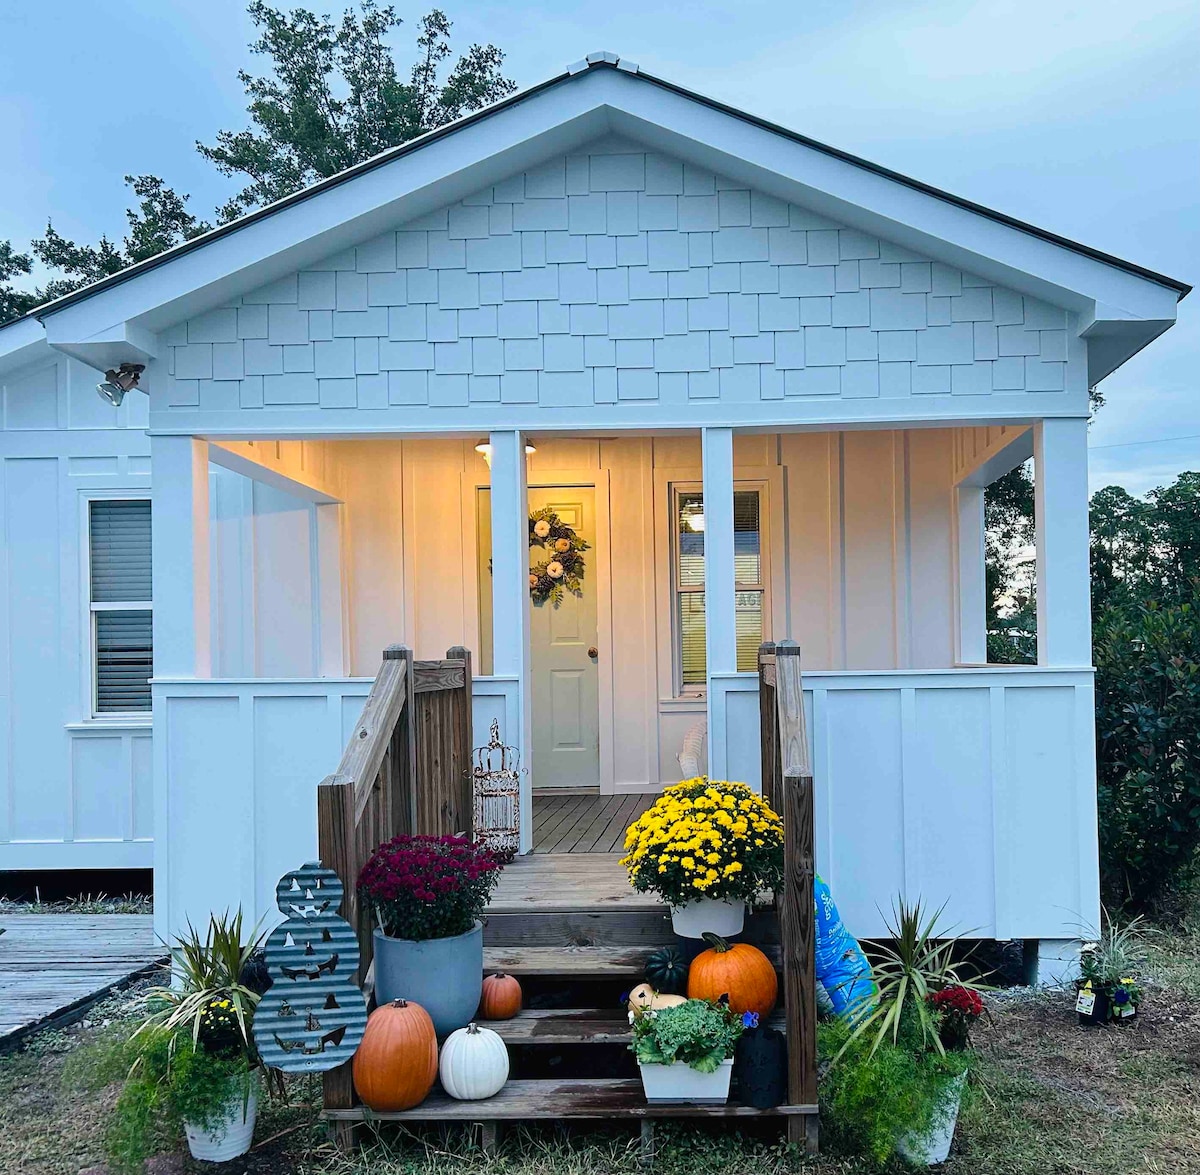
(511, 596)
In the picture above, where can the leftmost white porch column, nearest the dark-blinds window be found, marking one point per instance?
(179, 482)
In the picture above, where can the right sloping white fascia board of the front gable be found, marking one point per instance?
(885, 207)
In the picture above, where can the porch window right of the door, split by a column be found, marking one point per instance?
(689, 583)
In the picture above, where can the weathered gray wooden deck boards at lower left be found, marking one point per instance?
(55, 967)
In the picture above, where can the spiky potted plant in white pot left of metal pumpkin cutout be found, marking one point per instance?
(191, 1064)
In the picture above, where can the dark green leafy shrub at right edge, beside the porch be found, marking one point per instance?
(1148, 717)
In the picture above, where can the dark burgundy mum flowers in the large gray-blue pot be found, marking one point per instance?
(429, 888)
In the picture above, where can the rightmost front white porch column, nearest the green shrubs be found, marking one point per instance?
(1065, 615)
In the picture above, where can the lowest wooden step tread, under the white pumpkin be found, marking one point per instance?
(568, 1099)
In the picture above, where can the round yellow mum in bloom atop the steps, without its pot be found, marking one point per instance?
(706, 840)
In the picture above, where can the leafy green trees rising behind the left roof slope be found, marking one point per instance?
(333, 98)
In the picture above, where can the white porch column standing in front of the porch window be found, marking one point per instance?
(721, 596)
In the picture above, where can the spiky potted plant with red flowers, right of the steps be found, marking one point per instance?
(909, 1054)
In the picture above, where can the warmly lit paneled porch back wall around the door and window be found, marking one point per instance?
(861, 569)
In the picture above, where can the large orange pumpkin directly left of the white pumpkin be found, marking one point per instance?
(398, 1062)
